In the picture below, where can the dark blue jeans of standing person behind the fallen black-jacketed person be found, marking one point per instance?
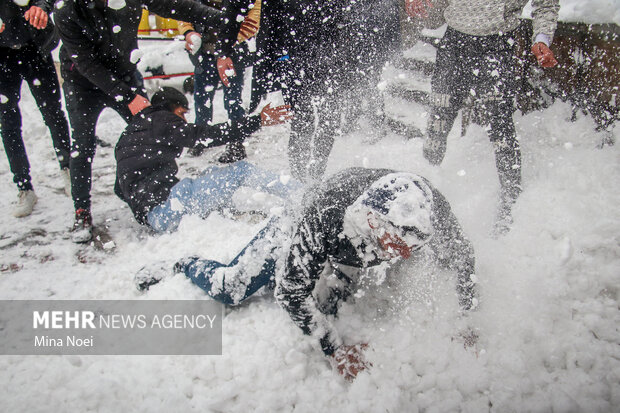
(206, 79)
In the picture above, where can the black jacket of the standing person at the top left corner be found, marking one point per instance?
(18, 31)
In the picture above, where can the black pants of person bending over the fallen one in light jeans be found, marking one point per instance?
(84, 106)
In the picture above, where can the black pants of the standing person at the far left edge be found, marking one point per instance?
(28, 64)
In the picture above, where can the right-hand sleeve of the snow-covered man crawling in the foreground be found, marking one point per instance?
(454, 251)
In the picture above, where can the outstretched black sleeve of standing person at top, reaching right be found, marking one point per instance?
(187, 11)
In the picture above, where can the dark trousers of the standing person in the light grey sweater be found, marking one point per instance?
(485, 65)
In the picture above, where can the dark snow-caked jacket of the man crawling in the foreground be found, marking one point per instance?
(319, 241)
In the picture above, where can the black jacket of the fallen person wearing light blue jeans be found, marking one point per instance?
(147, 150)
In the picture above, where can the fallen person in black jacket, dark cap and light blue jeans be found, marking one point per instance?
(146, 167)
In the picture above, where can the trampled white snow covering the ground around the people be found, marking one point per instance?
(550, 289)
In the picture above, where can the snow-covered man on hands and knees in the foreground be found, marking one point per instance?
(357, 219)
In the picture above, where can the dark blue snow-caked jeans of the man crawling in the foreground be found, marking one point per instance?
(253, 268)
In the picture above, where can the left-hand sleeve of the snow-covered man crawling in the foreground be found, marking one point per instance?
(305, 263)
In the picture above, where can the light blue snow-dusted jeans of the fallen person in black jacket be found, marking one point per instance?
(213, 189)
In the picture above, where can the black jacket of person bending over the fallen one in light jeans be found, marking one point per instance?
(98, 41)
